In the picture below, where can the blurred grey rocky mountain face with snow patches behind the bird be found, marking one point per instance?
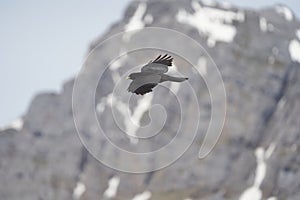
(257, 156)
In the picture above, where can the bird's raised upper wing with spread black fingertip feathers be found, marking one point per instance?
(159, 65)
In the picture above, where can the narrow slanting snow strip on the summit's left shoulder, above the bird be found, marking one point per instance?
(136, 22)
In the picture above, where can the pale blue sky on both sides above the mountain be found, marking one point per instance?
(44, 43)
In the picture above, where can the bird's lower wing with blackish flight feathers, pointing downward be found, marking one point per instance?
(144, 84)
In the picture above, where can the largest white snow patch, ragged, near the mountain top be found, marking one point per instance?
(214, 23)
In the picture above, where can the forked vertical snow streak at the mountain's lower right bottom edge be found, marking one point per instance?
(254, 192)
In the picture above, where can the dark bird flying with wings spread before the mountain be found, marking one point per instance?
(151, 75)
